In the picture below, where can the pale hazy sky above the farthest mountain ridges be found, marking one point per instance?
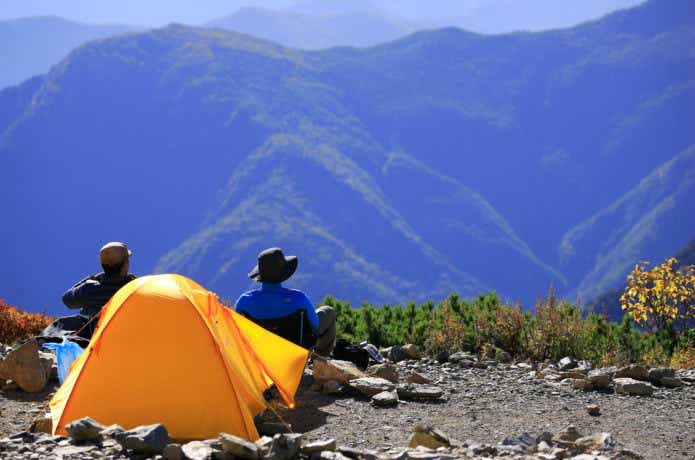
(493, 15)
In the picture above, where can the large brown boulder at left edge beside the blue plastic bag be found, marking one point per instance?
(28, 367)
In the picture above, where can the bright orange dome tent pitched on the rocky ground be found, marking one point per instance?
(165, 350)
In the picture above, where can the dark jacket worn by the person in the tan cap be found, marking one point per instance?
(93, 292)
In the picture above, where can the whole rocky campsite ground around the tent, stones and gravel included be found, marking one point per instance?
(515, 410)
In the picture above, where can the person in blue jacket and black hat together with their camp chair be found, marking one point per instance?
(275, 307)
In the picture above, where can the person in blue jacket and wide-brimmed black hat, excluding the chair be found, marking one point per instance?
(273, 301)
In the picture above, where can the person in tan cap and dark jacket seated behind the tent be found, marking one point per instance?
(93, 292)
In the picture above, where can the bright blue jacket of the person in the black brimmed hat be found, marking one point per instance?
(275, 301)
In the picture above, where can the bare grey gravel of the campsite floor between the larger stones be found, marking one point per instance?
(486, 405)
